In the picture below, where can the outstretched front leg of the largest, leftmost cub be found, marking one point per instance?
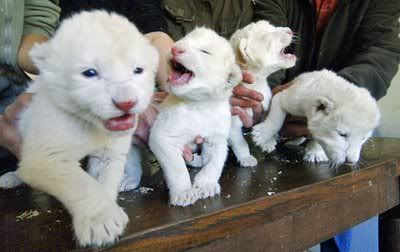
(96, 217)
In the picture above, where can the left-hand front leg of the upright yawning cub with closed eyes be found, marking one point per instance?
(169, 155)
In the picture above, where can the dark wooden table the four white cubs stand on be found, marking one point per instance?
(283, 204)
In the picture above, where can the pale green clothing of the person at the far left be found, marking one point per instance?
(18, 18)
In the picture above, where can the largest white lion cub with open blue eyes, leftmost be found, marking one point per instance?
(96, 74)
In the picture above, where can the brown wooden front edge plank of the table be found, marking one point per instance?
(294, 220)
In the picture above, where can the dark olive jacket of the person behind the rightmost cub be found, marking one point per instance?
(360, 43)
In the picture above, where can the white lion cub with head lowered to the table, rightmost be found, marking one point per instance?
(340, 116)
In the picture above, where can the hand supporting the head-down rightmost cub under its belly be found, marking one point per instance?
(294, 126)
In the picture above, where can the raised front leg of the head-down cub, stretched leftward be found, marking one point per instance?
(264, 133)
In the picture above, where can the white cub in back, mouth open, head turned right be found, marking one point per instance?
(259, 50)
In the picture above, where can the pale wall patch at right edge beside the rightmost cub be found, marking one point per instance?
(390, 109)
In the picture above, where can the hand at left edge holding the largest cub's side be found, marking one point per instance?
(10, 137)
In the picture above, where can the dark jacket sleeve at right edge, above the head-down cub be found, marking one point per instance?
(376, 58)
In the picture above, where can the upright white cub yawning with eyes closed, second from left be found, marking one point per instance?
(203, 76)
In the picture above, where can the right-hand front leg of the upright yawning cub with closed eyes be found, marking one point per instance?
(214, 154)
